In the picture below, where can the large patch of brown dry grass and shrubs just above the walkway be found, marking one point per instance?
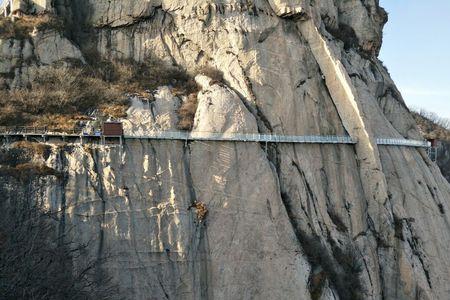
(59, 97)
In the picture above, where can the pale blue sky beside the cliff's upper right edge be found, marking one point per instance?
(416, 51)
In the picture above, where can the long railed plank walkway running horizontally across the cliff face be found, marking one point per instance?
(32, 133)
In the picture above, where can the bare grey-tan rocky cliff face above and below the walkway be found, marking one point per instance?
(295, 222)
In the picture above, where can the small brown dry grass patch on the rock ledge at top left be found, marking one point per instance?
(22, 27)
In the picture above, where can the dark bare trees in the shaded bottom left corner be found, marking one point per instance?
(37, 263)
